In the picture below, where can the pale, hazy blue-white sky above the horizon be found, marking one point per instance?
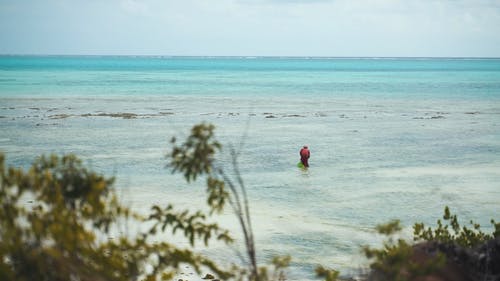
(334, 28)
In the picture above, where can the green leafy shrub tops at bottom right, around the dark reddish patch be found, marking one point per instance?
(396, 260)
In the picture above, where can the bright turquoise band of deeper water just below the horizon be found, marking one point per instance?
(145, 76)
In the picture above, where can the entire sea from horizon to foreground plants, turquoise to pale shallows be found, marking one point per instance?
(390, 138)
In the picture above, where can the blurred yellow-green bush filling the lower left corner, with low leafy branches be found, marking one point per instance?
(59, 221)
